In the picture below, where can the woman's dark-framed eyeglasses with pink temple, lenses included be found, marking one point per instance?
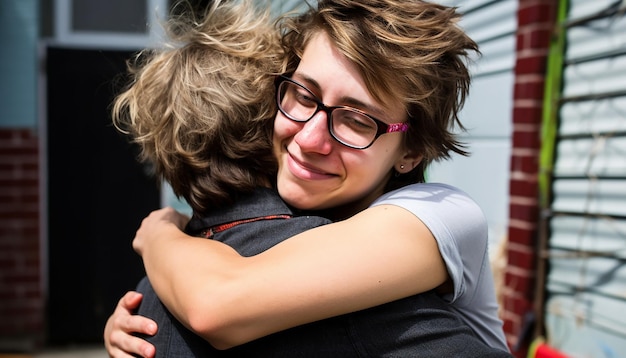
(349, 126)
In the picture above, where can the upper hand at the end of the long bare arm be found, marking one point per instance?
(154, 225)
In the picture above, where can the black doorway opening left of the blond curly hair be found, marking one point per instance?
(97, 194)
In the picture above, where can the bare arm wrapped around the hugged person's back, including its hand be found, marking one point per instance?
(324, 272)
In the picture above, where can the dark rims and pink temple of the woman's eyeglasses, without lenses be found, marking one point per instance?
(382, 127)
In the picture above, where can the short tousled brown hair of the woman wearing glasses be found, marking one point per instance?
(404, 49)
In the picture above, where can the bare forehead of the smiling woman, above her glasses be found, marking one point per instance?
(329, 73)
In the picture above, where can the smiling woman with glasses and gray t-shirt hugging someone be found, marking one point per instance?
(360, 118)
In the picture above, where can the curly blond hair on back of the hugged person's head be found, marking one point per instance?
(201, 109)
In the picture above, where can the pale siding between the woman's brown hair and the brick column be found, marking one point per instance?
(487, 113)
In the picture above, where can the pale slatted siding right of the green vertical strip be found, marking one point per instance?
(586, 299)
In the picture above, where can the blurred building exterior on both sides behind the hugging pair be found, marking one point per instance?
(547, 124)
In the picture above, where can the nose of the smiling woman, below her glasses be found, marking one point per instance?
(314, 135)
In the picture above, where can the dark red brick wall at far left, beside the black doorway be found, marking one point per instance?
(21, 298)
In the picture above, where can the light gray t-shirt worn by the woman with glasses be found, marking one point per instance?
(460, 228)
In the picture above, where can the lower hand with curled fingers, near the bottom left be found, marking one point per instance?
(118, 332)
